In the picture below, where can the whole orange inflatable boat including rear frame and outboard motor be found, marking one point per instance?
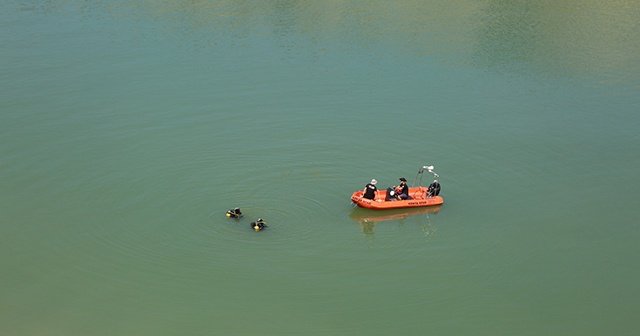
(418, 196)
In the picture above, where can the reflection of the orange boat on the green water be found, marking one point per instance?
(368, 218)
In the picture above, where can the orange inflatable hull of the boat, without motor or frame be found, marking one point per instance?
(418, 198)
